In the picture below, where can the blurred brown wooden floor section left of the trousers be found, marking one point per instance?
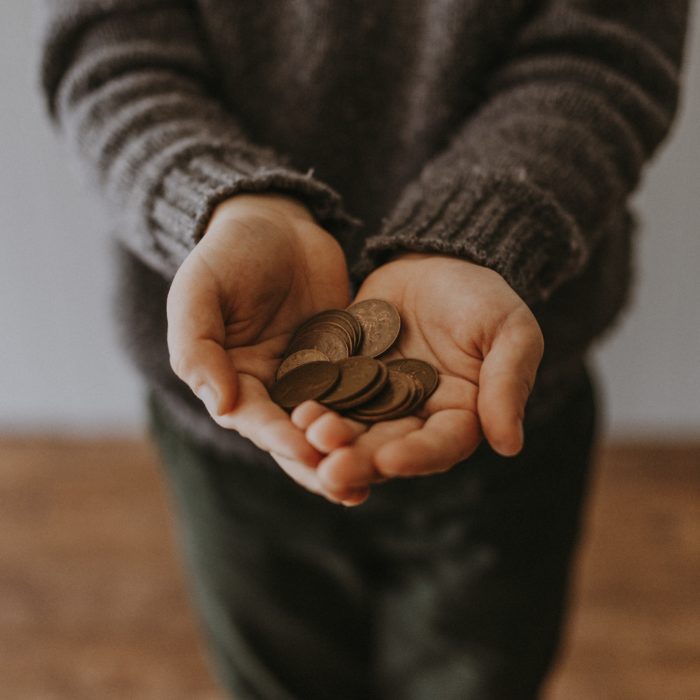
(93, 601)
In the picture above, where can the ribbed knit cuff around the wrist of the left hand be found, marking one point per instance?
(198, 181)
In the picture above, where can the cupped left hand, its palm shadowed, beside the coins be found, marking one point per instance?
(262, 267)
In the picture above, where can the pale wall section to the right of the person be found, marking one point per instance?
(649, 366)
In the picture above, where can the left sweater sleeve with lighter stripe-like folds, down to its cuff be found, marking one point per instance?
(129, 84)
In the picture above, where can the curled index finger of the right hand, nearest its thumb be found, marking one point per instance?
(447, 437)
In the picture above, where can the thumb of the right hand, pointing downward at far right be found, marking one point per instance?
(505, 382)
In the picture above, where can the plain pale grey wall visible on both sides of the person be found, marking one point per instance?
(60, 368)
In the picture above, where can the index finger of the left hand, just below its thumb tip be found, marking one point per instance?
(258, 418)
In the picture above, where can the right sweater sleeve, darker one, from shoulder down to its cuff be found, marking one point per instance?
(527, 182)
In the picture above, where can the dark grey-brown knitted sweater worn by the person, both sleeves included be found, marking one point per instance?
(506, 132)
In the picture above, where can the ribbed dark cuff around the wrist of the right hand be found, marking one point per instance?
(507, 225)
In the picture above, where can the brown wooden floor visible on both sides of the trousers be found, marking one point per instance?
(93, 604)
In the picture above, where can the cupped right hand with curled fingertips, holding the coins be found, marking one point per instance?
(466, 321)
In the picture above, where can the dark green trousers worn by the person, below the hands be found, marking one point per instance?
(450, 587)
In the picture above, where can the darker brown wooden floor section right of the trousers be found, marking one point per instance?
(635, 626)
